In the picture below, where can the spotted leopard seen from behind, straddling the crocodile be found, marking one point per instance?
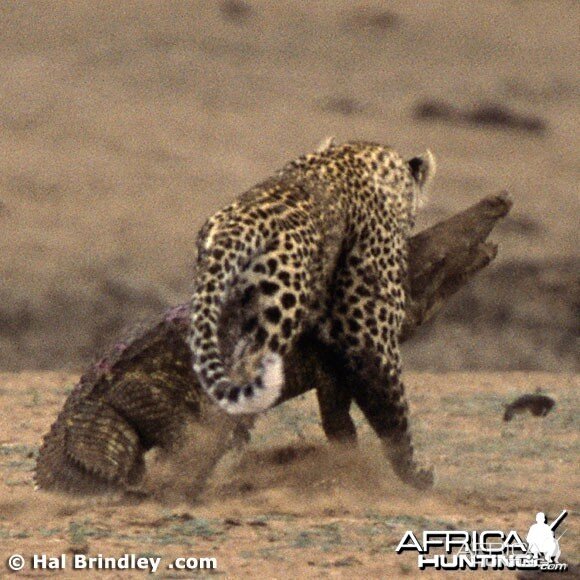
(321, 246)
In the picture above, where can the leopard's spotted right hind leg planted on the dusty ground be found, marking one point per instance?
(364, 323)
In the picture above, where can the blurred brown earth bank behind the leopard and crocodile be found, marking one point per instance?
(124, 125)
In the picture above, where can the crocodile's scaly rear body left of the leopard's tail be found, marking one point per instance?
(135, 398)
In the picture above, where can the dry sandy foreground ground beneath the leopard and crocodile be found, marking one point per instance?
(290, 505)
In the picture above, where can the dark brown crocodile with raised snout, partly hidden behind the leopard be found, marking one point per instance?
(143, 392)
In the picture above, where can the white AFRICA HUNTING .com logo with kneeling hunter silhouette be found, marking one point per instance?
(490, 549)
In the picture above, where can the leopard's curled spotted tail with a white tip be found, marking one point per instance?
(206, 308)
